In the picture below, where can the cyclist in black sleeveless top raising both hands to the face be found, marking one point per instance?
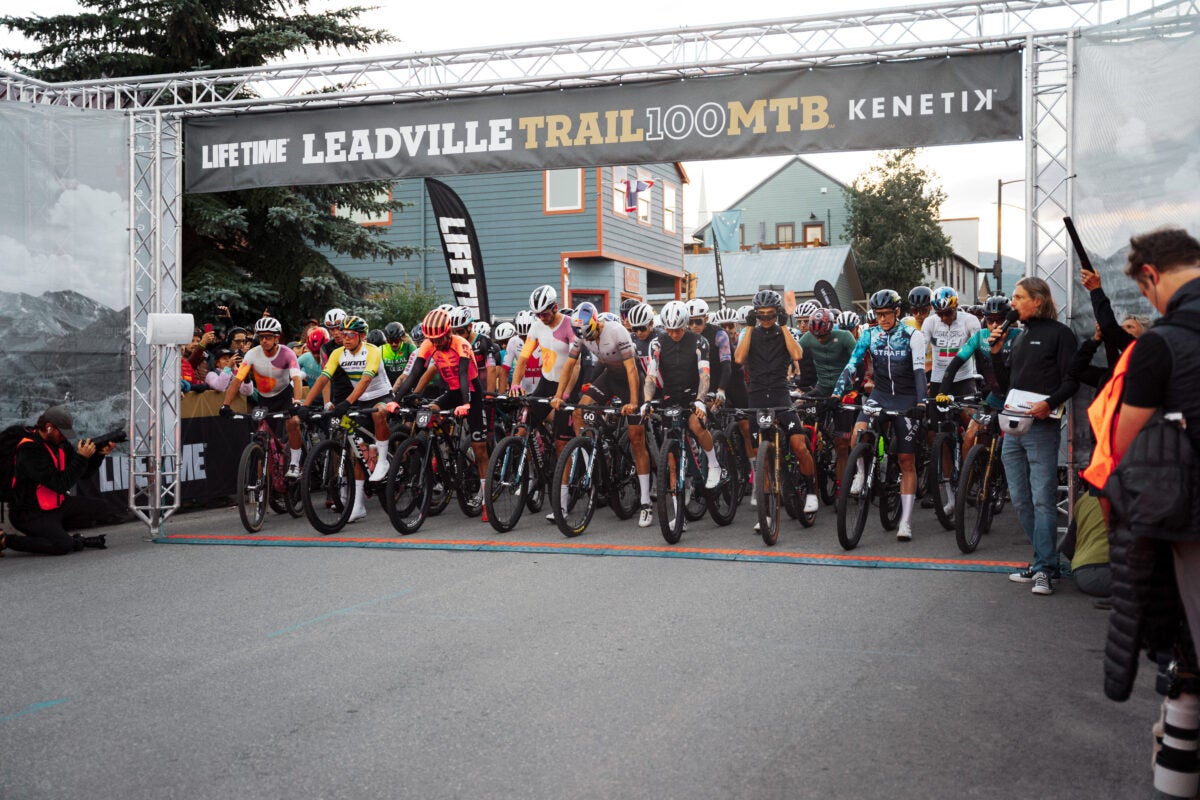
(766, 352)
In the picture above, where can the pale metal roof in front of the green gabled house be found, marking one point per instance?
(797, 269)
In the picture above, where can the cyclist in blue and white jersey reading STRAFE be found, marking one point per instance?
(897, 353)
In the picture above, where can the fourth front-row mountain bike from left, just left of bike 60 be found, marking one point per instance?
(519, 471)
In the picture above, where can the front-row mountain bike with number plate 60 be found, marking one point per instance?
(595, 465)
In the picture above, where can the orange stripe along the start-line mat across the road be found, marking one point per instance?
(598, 546)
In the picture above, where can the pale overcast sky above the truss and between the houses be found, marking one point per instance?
(968, 173)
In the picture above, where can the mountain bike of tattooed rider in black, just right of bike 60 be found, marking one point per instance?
(683, 471)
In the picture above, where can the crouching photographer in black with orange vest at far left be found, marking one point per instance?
(47, 466)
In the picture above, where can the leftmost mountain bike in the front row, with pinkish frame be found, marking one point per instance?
(262, 473)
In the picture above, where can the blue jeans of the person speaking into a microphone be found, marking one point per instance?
(1031, 466)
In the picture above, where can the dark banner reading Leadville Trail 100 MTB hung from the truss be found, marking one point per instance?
(926, 103)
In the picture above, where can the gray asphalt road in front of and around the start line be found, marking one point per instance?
(214, 671)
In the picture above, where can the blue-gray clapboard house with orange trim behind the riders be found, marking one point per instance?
(565, 227)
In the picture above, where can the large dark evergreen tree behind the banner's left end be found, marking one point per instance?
(250, 250)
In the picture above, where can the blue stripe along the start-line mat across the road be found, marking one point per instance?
(764, 558)
